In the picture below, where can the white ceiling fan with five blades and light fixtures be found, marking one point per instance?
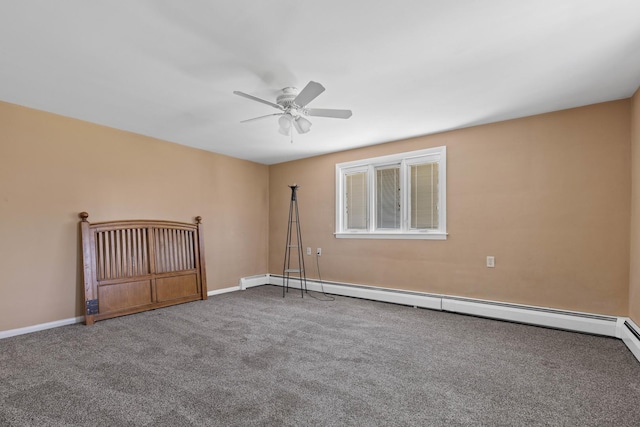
(293, 108)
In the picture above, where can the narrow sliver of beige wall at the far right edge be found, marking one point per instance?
(634, 282)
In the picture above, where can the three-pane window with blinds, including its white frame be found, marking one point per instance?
(402, 196)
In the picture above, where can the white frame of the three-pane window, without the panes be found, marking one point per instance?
(404, 160)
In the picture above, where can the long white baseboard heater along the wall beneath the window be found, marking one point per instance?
(531, 315)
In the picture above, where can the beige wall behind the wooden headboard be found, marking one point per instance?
(52, 167)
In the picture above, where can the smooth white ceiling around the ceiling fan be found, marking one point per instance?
(168, 69)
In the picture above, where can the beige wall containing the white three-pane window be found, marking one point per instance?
(547, 195)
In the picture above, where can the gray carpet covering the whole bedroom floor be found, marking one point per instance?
(253, 358)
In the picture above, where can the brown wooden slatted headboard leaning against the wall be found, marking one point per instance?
(139, 265)
